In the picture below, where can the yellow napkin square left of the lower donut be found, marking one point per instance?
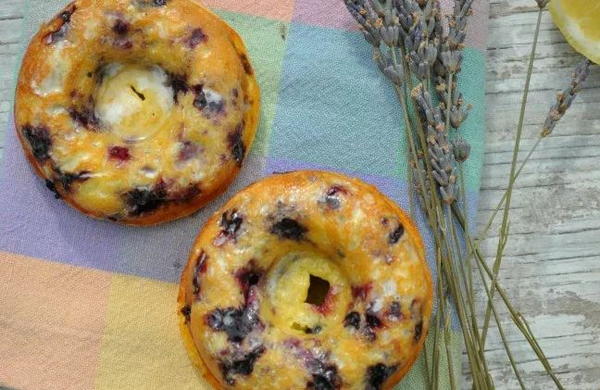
(142, 347)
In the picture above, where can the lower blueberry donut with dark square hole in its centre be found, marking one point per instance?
(306, 280)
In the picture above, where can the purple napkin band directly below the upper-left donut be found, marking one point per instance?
(34, 223)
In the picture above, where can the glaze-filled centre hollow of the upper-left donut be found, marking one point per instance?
(133, 101)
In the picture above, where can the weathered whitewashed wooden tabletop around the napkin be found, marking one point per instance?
(552, 264)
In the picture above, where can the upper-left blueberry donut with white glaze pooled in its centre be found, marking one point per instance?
(137, 111)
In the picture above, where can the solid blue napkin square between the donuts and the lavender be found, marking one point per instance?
(334, 107)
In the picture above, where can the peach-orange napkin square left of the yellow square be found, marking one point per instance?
(52, 319)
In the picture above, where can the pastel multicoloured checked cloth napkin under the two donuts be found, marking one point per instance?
(87, 304)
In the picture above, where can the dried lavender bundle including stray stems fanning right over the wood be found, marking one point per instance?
(413, 41)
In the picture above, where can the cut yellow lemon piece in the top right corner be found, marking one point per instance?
(579, 21)
